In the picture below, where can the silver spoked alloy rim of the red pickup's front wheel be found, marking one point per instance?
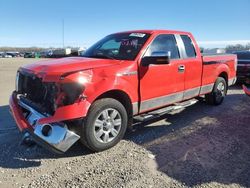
(107, 125)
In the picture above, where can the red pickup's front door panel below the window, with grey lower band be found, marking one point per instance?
(158, 83)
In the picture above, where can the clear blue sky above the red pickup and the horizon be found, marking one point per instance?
(214, 23)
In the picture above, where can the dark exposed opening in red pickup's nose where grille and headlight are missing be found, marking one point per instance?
(46, 97)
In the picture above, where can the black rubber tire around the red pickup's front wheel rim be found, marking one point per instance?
(89, 132)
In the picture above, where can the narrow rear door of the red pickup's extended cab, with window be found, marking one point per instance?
(193, 67)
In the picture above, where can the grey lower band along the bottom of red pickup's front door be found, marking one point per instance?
(161, 101)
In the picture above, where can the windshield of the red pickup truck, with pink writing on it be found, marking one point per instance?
(121, 46)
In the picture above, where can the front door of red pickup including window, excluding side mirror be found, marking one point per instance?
(161, 84)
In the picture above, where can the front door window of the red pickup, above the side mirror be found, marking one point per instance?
(164, 44)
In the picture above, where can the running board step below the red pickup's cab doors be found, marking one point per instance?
(157, 113)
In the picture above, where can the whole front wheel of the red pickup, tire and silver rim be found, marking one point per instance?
(105, 124)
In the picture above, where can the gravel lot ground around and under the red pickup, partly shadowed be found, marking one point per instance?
(200, 146)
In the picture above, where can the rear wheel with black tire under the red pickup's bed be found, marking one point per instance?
(217, 95)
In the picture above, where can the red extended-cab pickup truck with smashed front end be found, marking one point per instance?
(95, 97)
